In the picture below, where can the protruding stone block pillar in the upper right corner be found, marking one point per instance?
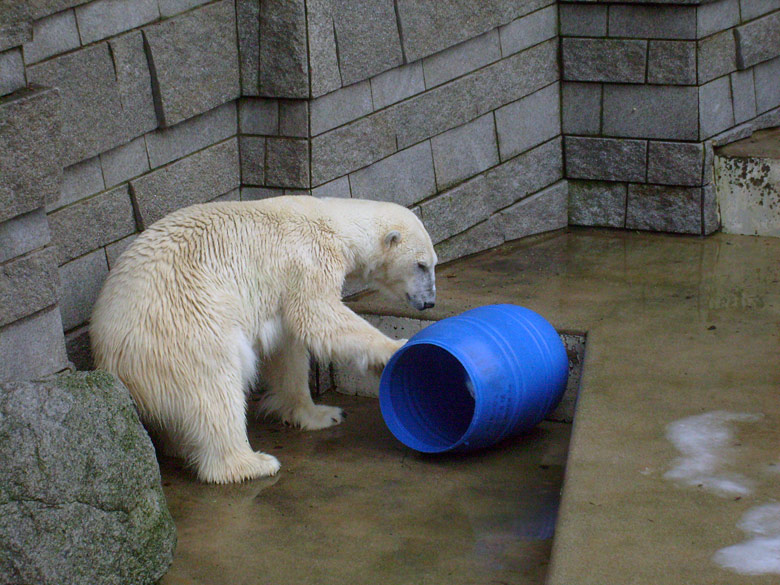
(647, 89)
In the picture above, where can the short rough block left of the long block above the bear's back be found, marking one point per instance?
(92, 223)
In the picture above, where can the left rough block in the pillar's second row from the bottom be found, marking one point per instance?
(606, 159)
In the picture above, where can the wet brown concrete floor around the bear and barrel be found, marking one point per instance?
(672, 473)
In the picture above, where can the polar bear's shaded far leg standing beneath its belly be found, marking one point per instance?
(286, 372)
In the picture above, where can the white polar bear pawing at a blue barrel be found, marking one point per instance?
(209, 293)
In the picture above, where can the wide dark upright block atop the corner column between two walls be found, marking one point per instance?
(284, 61)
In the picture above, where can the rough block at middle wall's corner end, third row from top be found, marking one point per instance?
(352, 147)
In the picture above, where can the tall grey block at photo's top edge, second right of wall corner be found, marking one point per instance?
(368, 38)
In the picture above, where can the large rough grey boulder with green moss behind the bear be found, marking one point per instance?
(80, 493)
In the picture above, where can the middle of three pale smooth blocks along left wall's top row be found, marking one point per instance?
(105, 18)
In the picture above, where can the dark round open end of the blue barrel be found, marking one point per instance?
(432, 394)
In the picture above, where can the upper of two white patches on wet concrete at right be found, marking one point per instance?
(705, 442)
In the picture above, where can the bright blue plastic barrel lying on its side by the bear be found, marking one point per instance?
(471, 380)
